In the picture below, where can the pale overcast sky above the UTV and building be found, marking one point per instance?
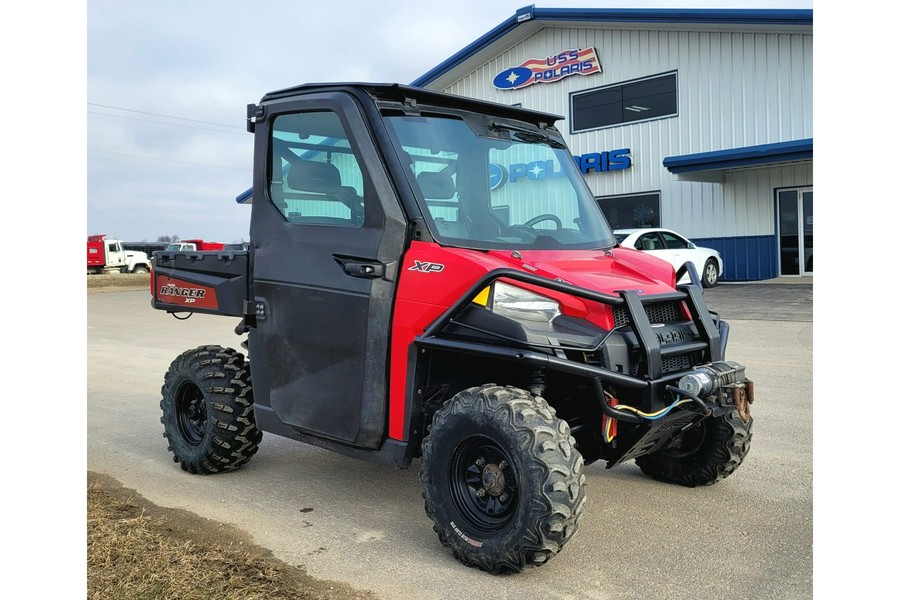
(168, 82)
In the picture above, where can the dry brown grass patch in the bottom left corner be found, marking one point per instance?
(139, 551)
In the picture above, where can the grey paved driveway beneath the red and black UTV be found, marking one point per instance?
(747, 537)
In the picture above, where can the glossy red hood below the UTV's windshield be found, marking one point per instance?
(598, 270)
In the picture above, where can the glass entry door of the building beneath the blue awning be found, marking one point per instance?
(795, 231)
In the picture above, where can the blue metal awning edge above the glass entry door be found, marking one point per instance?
(764, 154)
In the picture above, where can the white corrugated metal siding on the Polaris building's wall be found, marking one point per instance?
(735, 89)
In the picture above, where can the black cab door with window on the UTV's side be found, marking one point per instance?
(327, 237)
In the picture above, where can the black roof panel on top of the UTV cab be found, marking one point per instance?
(404, 93)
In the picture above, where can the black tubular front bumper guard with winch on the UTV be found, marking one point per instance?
(641, 361)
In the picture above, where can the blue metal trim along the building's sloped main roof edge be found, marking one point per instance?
(612, 15)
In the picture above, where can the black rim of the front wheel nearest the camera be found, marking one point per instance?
(483, 483)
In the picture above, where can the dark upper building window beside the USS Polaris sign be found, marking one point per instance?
(640, 100)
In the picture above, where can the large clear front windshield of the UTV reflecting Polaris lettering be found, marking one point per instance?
(507, 186)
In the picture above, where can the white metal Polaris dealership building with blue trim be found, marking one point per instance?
(694, 120)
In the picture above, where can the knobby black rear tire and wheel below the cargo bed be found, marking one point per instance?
(207, 410)
